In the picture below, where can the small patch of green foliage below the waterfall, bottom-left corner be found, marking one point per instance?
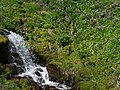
(13, 84)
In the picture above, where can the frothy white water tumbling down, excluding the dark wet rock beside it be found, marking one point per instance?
(29, 68)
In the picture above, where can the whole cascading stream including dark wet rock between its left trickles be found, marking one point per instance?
(23, 59)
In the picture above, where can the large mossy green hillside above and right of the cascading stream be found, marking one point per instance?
(80, 36)
